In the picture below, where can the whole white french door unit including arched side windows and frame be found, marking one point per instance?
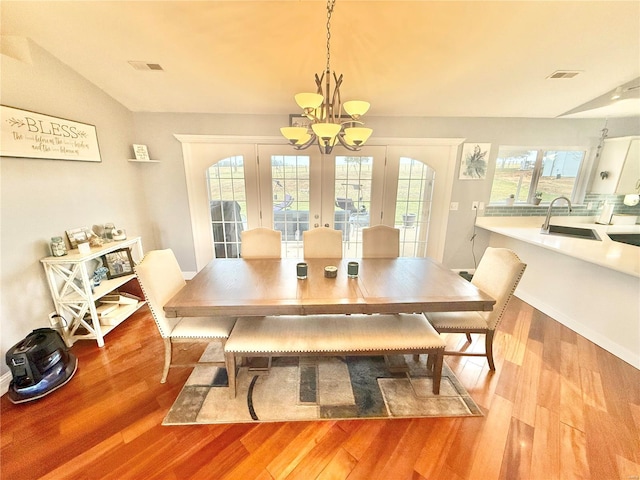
(294, 191)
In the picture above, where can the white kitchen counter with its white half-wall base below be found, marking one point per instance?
(590, 286)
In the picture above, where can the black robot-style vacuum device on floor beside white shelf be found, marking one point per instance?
(40, 364)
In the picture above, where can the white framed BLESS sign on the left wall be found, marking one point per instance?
(28, 134)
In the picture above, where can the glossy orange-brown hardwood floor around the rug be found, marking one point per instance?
(557, 407)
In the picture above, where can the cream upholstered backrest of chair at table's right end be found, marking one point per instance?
(498, 275)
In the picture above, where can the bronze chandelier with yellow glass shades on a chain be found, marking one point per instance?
(324, 110)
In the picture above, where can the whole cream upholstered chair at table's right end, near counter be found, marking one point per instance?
(497, 275)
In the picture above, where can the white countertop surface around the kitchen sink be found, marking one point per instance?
(606, 253)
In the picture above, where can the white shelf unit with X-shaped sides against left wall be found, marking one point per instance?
(75, 298)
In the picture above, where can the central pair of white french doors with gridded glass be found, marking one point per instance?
(304, 190)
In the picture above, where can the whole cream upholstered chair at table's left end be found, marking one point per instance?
(160, 278)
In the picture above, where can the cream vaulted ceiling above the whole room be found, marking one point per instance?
(408, 58)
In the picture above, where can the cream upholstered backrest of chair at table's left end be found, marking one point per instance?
(160, 278)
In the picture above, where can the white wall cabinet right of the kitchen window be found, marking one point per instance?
(619, 165)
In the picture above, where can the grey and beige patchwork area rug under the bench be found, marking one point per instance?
(320, 388)
